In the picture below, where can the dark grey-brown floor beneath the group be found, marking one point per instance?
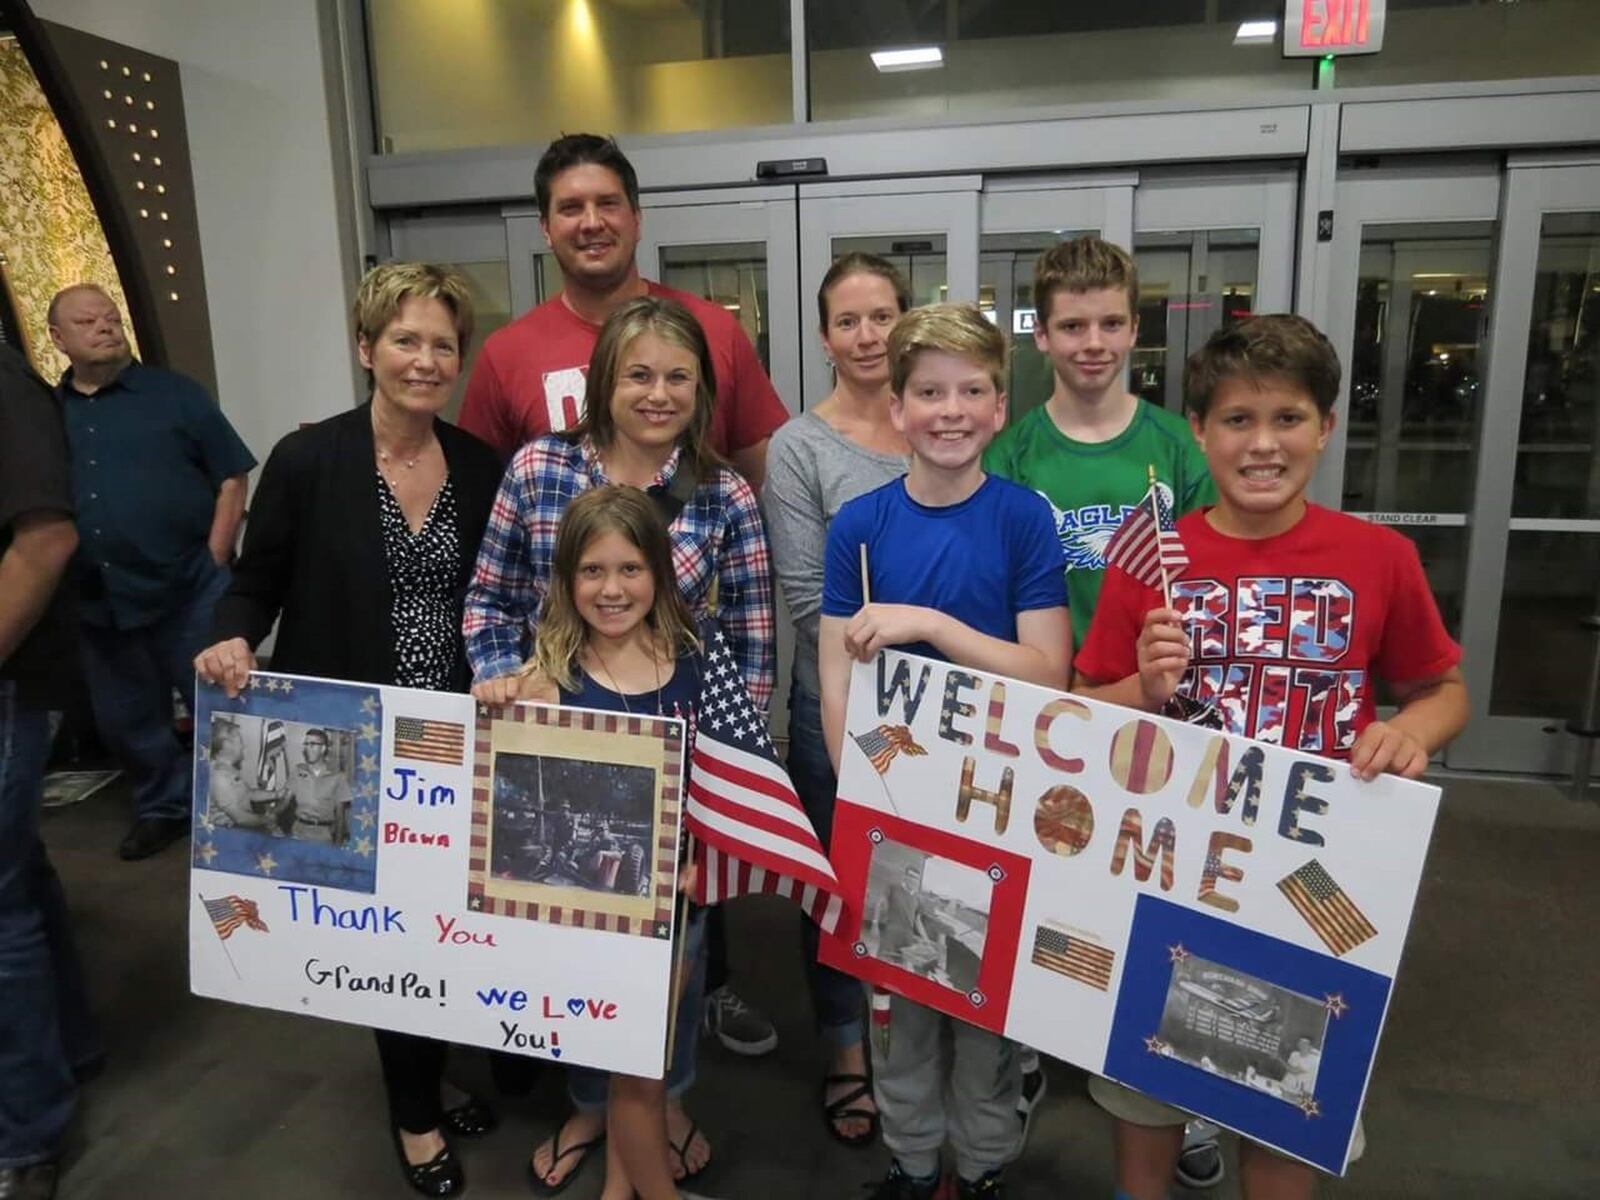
(1487, 1086)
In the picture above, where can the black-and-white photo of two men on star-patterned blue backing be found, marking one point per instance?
(281, 778)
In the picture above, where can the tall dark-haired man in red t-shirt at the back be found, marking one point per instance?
(530, 377)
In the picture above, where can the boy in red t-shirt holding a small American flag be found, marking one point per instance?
(1281, 628)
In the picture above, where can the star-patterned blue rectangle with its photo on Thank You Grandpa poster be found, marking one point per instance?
(287, 782)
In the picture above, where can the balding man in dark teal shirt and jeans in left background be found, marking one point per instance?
(159, 481)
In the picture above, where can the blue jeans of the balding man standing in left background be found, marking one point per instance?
(132, 674)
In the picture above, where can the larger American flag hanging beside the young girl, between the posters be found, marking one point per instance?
(751, 833)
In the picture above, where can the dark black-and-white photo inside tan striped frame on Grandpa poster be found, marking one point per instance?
(574, 823)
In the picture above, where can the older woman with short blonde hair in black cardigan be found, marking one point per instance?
(361, 543)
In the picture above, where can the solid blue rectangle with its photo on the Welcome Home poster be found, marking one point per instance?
(1258, 1034)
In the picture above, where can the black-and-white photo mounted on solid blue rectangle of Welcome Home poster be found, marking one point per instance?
(1244, 1030)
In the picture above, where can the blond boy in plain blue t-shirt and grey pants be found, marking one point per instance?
(962, 567)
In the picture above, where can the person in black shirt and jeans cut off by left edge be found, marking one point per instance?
(44, 1023)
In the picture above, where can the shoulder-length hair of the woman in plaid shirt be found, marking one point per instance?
(676, 326)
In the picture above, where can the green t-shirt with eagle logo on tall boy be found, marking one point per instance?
(1094, 486)
